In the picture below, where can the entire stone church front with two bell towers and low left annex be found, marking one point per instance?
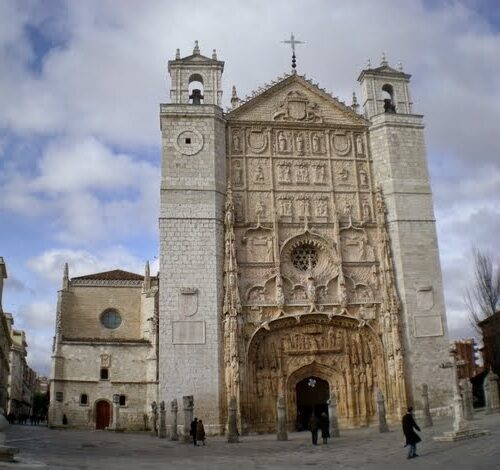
(298, 259)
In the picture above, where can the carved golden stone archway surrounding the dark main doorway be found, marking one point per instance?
(339, 349)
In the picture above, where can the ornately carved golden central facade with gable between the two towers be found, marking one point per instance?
(309, 282)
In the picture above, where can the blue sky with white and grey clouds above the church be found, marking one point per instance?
(80, 85)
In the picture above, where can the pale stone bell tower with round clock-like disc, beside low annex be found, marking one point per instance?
(193, 185)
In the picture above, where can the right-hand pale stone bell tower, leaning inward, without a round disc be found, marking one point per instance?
(400, 165)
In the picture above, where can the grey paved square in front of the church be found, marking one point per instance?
(41, 447)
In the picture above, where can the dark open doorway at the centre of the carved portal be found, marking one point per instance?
(312, 394)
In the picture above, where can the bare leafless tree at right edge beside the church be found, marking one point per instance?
(482, 299)
